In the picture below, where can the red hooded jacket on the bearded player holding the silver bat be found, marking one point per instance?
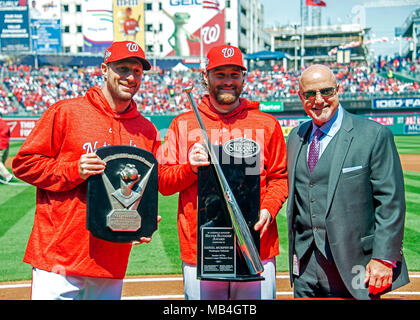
(176, 174)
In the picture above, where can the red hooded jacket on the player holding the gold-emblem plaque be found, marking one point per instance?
(48, 159)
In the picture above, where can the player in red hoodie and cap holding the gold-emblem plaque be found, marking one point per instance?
(58, 156)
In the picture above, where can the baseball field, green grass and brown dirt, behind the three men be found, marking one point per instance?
(160, 258)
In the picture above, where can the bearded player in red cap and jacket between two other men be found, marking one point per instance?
(226, 116)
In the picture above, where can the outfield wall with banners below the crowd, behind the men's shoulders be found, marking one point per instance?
(400, 123)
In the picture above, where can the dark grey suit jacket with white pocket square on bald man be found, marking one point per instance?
(365, 207)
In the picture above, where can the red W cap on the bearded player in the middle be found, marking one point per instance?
(224, 55)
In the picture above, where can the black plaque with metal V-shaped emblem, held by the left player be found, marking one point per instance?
(122, 202)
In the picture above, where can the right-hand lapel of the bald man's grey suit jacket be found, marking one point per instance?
(345, 138)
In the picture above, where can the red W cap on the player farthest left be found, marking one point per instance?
(120, 50)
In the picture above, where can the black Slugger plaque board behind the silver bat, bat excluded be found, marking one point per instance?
(218, 255)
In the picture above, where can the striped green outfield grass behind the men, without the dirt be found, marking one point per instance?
(161, 256)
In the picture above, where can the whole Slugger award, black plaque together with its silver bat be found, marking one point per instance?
(228, 208)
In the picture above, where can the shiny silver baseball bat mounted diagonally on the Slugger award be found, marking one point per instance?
(240, 227)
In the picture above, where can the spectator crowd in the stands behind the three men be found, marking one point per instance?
(161, 91)
